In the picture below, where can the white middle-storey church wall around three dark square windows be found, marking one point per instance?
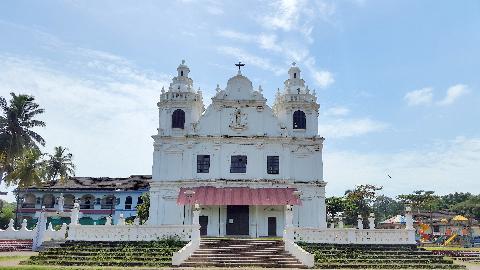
(177, 159)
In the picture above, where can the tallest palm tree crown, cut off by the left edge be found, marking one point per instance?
(16, 129)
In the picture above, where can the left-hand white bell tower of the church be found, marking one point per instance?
(181, 106)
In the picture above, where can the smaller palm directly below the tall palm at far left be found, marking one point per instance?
(29, 169)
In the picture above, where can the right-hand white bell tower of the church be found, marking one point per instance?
(296, 107)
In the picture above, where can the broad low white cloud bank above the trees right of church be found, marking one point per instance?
(445, 167)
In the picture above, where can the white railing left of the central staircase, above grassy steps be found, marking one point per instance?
(129, 232)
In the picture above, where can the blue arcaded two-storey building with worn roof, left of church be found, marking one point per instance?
(98, 197)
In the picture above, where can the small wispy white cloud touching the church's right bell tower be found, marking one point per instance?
(343, 128)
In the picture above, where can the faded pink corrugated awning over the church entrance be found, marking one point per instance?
(238, 196)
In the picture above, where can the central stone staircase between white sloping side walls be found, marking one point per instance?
(242, 253)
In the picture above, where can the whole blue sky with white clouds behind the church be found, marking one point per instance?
(397, 81)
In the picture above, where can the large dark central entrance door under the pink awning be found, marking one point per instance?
(237, 220)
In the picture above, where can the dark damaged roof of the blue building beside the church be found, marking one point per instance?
(134, 182)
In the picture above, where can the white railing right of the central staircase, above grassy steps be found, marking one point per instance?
(353, 236)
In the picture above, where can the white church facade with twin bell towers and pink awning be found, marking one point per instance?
(240, 161)
